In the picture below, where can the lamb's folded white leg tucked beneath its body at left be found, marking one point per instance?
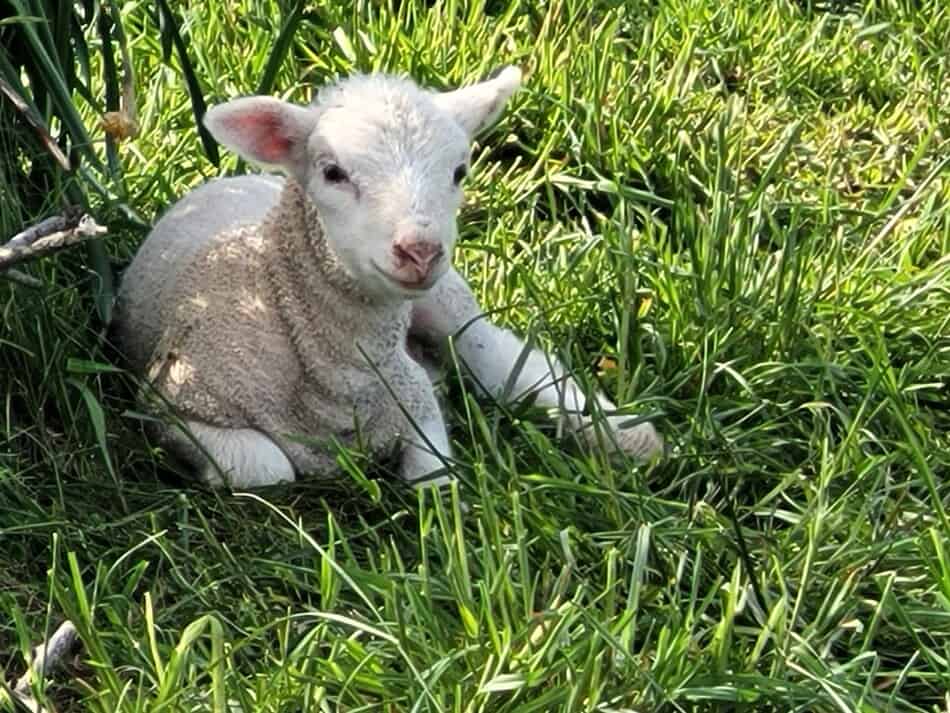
(236, 457)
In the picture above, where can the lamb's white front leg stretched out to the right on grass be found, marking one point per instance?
(498, 361)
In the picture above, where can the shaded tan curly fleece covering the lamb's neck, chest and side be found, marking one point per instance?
(262, 328)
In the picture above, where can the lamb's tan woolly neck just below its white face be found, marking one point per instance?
(326, 312)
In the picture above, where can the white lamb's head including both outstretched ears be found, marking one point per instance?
(382, 159)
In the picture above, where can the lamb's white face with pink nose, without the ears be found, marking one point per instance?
(386, 167)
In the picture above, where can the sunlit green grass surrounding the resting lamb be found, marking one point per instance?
(734, 216)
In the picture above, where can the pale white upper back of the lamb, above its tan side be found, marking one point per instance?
(152, 281)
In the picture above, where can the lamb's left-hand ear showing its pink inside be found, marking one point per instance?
(262, 129)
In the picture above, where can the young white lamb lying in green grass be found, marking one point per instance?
(272, 315)
